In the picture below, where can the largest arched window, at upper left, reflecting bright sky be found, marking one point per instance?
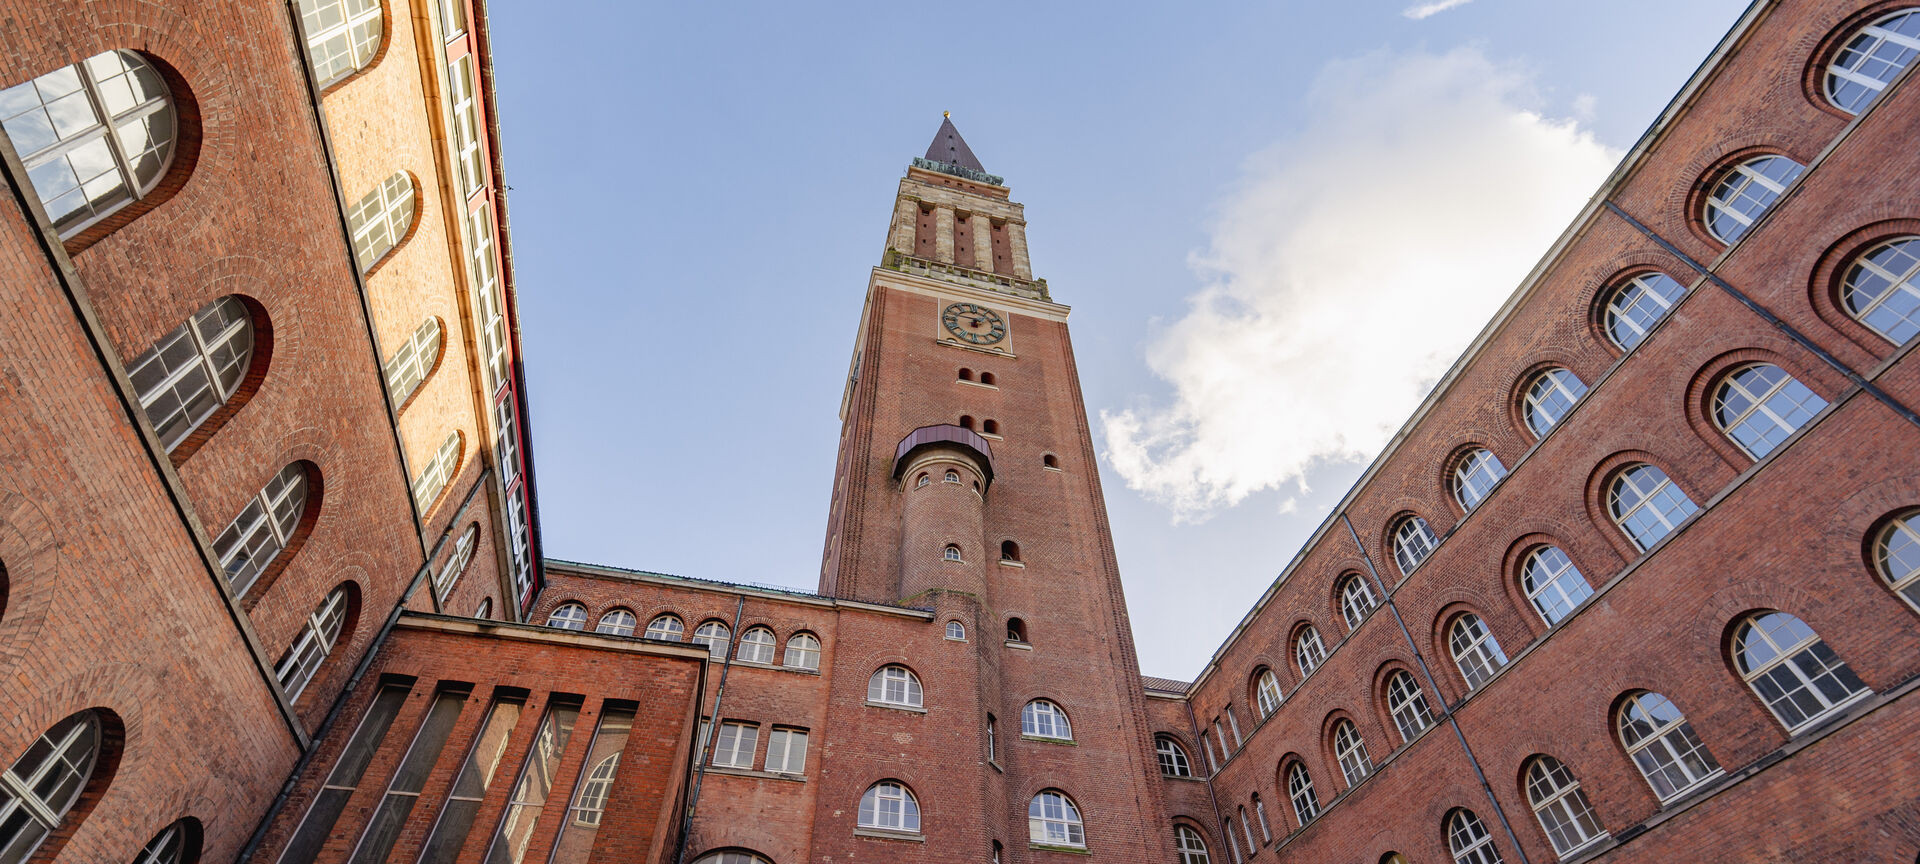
(95, 135)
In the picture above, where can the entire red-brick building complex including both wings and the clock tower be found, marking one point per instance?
(1637, 583)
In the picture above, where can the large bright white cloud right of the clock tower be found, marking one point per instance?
(1347, 270)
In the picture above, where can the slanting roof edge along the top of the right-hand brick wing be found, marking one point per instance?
(1579, 228)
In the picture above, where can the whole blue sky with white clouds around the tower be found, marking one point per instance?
(1224, 193)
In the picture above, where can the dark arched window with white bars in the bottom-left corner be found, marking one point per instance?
(39, 790)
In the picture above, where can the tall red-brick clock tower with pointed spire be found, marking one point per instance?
(967, 485)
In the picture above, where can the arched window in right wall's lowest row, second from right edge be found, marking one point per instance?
(1792, 669)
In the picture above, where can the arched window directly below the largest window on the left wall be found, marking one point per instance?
(195, 370)
